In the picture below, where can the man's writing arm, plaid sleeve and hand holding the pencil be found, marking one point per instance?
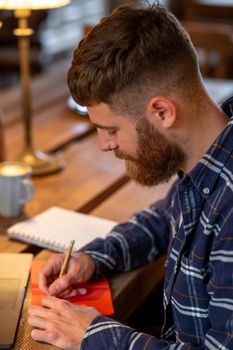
(129, 245)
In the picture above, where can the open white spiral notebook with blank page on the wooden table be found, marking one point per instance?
(56, 227)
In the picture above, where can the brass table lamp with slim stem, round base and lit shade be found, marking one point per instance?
(40, 162)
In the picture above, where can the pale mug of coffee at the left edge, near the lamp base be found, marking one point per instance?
(16, 187)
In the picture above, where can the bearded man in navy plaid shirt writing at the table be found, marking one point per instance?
(137, 72)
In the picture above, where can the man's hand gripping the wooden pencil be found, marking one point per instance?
(81, 268)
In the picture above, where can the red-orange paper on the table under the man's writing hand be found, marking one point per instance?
(98, 292)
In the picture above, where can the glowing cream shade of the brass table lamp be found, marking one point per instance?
(31, 4)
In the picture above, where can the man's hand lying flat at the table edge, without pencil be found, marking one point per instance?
(60, 323)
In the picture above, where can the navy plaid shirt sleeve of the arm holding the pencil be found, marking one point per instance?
(133, 243)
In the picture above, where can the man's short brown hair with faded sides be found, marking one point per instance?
(134, 53)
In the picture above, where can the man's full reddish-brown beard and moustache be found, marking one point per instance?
(157, 159)
